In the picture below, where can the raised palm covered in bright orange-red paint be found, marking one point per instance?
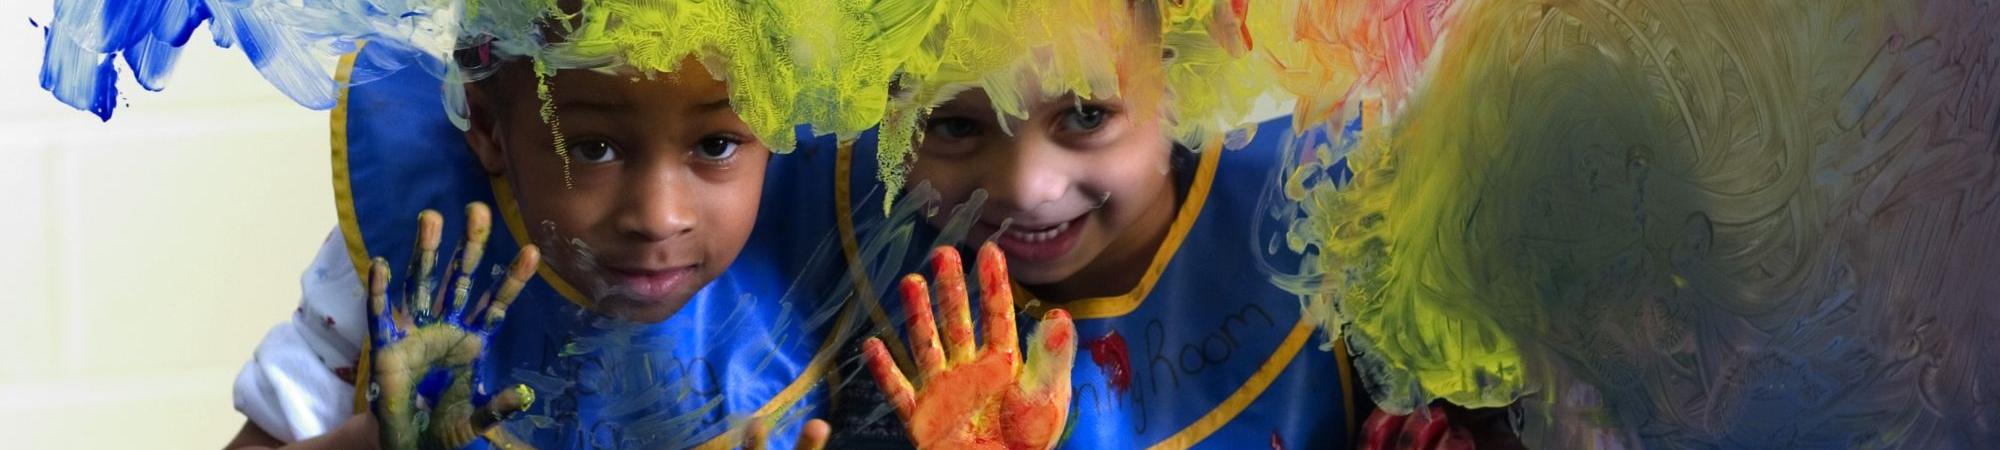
(987, 397)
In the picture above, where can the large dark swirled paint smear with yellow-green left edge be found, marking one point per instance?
(1741, 225)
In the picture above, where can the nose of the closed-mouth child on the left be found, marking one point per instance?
(659, 207)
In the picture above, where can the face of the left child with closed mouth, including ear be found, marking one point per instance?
(665, 181)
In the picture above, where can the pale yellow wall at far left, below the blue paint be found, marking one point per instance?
(145, 259)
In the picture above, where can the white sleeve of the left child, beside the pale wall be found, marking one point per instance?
(301, 381)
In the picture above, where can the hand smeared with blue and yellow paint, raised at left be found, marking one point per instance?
(425, 331)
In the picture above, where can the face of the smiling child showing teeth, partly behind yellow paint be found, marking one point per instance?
(1081, 183)
